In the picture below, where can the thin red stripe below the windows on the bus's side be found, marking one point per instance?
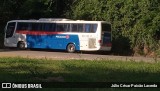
(37, 32)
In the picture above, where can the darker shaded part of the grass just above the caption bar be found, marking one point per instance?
(73, 73)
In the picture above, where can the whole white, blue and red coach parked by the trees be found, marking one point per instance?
(57, 33)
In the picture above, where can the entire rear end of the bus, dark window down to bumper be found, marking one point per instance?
(106, 37)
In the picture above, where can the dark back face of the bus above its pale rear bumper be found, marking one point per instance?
(106, 35)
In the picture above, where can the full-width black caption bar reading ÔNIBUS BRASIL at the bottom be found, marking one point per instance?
(81, 85)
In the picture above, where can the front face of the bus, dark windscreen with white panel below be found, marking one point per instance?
(9, 34)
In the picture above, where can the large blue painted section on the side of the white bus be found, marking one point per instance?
(56, 41)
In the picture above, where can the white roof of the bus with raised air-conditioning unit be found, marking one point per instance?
(57, 20)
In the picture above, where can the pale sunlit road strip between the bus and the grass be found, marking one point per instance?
(61, 55)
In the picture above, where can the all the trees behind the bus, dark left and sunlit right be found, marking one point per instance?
(135, 24)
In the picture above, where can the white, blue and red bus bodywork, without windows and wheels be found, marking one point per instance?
(59, 40)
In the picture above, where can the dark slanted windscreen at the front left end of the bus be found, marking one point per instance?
(10, 29)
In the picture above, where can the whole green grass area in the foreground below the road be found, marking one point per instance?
(45, 70)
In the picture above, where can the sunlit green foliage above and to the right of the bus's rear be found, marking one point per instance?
(137, 20)
